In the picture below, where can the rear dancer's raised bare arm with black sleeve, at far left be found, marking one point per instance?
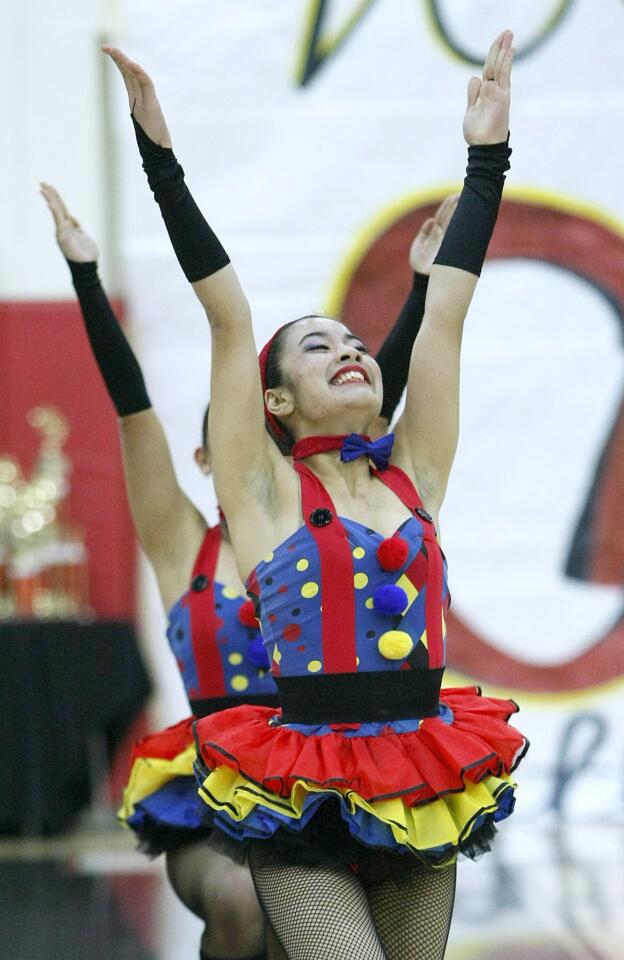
(169, 526)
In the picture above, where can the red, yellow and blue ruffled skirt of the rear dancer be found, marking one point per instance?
(160, 802)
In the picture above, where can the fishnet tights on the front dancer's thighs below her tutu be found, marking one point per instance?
(329, 913)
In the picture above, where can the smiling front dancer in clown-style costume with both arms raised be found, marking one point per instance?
(358, 796)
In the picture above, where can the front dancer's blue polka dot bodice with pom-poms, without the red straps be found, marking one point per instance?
(389, 624)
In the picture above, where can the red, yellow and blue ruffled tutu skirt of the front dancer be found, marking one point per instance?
(432, 787)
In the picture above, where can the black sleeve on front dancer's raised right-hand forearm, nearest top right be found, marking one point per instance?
(469, 233)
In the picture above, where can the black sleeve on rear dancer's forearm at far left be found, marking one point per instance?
(113, 354)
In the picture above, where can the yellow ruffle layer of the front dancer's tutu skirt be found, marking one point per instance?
(448, 819)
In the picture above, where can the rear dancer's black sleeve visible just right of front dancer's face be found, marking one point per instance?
(396, 351)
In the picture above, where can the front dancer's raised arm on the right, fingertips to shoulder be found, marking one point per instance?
(427, 432)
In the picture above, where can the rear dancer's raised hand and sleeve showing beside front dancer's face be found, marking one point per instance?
(395, 352)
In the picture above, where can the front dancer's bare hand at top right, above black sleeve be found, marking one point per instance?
(487, 115)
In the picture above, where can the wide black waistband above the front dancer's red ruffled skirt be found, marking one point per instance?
(360, 697)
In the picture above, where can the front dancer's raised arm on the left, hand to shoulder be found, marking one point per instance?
(244, 457)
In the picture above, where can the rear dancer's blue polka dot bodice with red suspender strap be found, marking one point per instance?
(217, 642)
